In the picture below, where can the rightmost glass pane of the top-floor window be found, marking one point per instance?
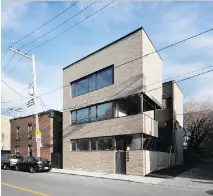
(104, 78)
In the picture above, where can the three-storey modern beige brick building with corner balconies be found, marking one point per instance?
(110, 101)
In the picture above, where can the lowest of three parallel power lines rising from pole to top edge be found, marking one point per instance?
(70, 27)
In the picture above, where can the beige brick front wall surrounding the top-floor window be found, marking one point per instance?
(127, 74)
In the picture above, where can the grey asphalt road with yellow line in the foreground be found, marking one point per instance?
(51, 184)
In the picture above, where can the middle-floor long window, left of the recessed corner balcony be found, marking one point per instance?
(94, 113)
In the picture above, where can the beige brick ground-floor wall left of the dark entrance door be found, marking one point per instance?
(101, 161)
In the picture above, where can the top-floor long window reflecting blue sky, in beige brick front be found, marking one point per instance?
(93, 82)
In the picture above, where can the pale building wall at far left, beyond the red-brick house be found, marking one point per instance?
(5, 133)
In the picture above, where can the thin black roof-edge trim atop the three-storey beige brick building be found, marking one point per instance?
(140, 28)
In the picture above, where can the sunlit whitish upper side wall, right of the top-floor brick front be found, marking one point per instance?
(152, 70)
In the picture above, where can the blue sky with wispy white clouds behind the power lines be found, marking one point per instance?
(164, 22)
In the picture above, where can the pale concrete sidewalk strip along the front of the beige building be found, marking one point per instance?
(130, 178)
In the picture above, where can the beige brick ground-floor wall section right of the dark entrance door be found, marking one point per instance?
(134, 163)
